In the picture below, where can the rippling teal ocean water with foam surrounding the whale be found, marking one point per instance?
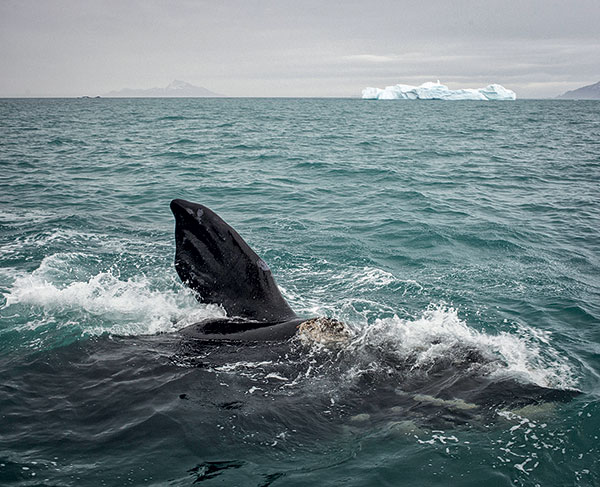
(460, 242)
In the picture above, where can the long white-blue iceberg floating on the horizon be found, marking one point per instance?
(438, 91)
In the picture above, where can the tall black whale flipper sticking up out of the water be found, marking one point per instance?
(213, 260)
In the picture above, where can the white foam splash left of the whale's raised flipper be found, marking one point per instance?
(105, 302)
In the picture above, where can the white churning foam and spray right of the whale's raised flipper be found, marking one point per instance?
(430, 340)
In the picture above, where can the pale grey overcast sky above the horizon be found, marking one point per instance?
(538, 48)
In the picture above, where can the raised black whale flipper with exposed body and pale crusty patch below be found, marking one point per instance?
(213, 260)
